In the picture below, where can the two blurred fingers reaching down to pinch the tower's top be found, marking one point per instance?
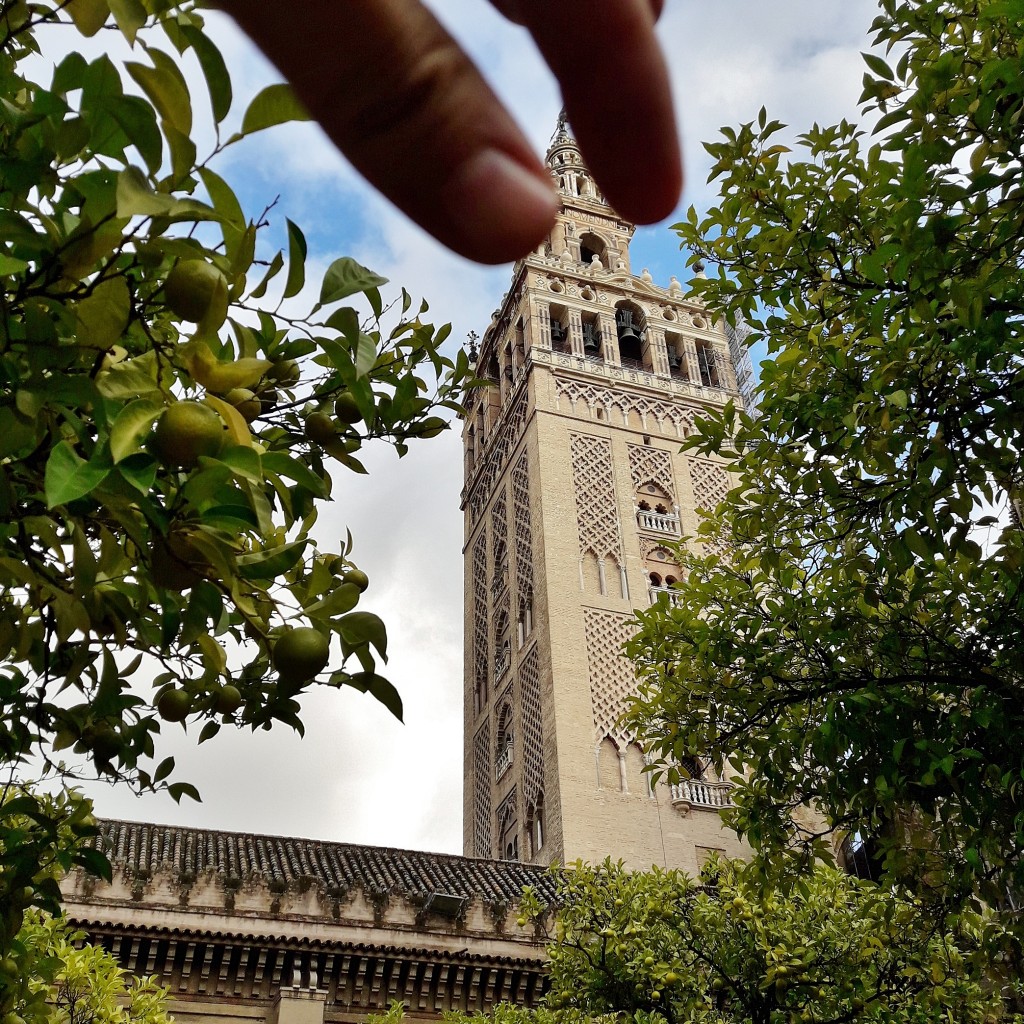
(412, 113)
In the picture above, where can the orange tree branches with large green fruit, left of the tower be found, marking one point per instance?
(168, 406)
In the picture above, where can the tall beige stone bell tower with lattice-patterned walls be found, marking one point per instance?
(574, 484)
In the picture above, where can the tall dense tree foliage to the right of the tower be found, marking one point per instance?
(860, 651)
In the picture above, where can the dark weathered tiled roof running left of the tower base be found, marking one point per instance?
(337, 868)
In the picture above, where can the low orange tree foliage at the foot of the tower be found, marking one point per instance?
(656, 947)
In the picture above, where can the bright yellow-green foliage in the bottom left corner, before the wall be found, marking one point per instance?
(51, 977)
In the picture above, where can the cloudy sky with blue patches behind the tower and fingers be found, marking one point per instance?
(359, 776)
